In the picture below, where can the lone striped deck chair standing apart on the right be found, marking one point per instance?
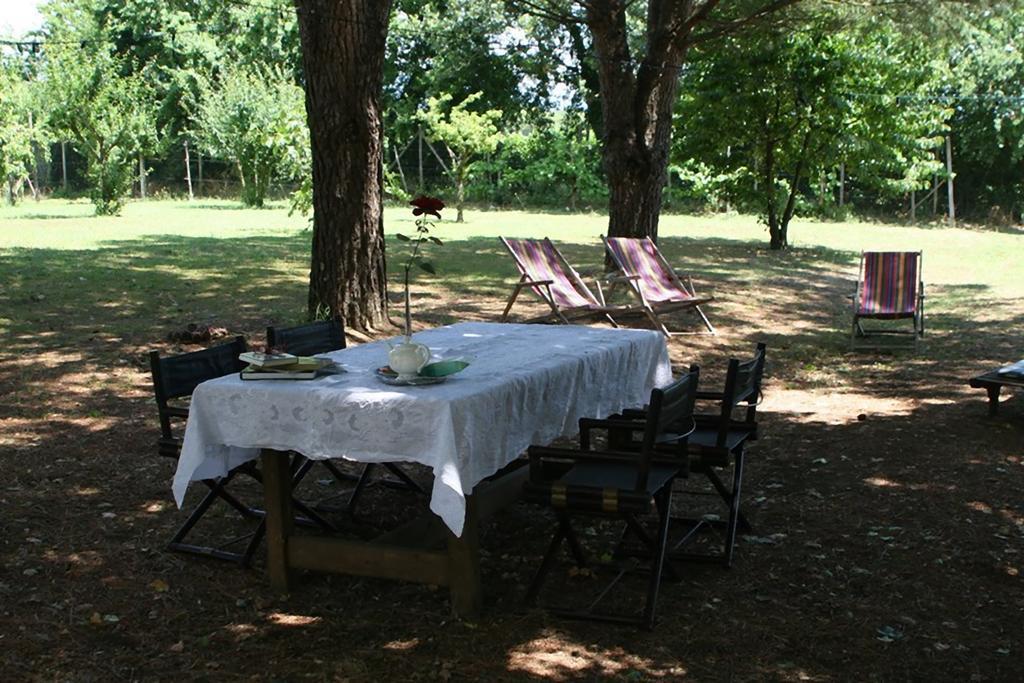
(889, 288)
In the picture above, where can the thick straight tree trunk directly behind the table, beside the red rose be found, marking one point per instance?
(344, 56)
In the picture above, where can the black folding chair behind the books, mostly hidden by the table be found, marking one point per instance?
(322, 337)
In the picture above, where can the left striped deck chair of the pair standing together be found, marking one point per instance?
(546, 273)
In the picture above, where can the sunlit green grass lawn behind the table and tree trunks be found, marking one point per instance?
(70, 277)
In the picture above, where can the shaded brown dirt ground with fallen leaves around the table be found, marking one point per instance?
(887, 506)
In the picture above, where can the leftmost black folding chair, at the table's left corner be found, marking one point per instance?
(175, 379)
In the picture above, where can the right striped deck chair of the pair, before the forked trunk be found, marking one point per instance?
(651, 278)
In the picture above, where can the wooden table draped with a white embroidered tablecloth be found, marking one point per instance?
(527, 385)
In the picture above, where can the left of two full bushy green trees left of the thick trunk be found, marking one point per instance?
(109, 118)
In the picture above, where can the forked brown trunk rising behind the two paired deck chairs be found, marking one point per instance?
(637, 108)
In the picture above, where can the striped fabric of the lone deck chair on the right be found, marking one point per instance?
(889, 285)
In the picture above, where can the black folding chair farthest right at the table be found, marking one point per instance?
(717, 443)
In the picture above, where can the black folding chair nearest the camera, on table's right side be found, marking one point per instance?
(617, 484)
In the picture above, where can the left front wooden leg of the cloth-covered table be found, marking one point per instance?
(277, 473)
